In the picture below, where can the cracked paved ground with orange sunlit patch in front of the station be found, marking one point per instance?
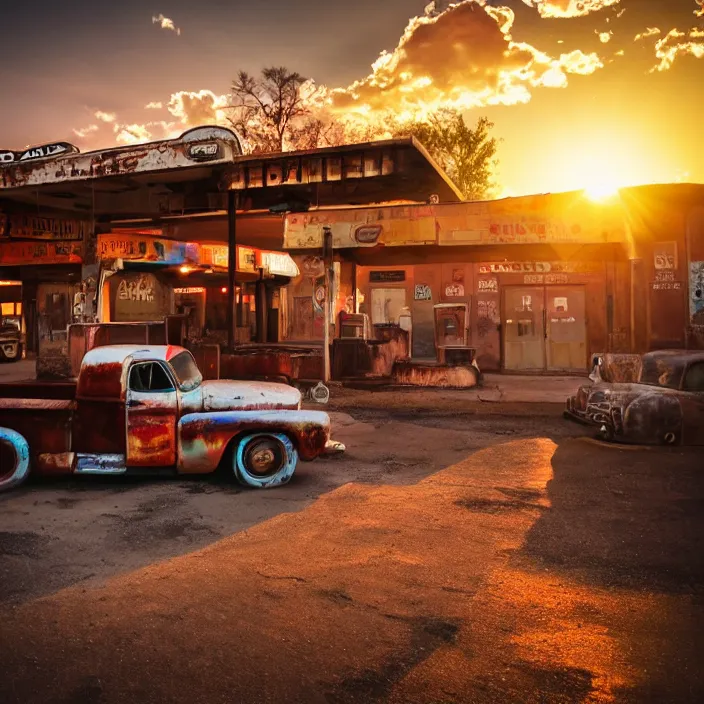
(460, 551)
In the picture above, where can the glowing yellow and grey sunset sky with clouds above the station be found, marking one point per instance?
(577, 96)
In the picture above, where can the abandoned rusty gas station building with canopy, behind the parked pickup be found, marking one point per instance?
(189, 241)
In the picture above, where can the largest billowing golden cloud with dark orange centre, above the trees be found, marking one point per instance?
(463, 57)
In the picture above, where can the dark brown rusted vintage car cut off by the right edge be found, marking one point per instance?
(663, 405)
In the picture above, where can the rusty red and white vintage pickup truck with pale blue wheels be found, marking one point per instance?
(136, 409)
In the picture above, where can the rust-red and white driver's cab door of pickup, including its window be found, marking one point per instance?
(152, 409)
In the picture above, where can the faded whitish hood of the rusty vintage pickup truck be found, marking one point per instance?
(224, 395)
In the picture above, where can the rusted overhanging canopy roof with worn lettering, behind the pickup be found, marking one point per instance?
(191, 174)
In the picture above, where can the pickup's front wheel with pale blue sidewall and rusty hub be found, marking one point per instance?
(265, 460)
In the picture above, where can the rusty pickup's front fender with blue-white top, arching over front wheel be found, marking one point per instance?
(204, 437)
